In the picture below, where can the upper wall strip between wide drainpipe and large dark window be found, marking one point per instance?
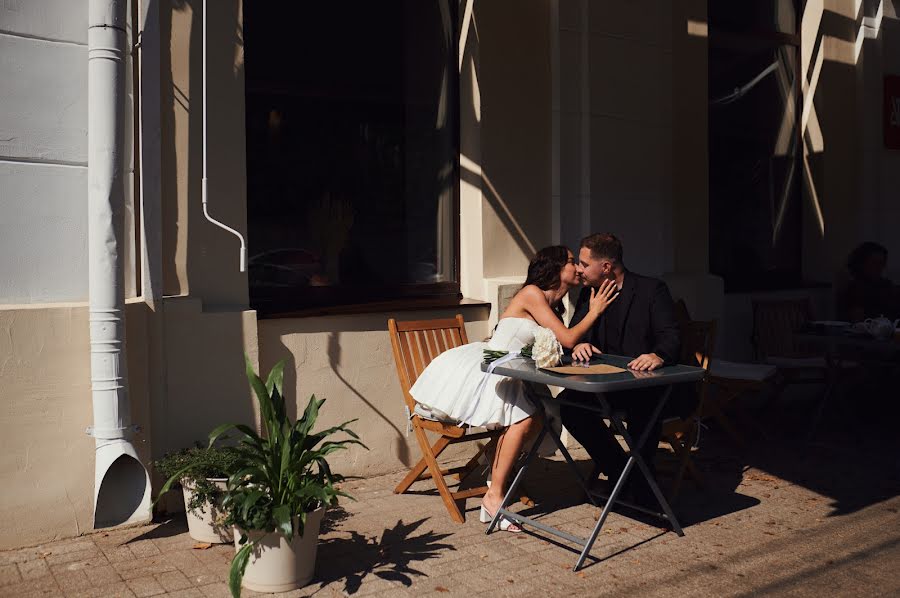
(190, 244)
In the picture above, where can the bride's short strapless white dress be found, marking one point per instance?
(449, 386)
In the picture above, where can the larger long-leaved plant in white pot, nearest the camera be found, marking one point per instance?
(280, 488)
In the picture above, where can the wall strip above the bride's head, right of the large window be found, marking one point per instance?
(505, 140)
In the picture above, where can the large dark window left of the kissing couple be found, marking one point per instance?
(352, 152)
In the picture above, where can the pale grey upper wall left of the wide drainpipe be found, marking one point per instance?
(43, 151)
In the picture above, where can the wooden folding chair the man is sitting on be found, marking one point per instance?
(697, 341)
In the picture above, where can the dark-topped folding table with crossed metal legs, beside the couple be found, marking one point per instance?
(598, 384)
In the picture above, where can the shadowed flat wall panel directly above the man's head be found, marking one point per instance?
(630, 87)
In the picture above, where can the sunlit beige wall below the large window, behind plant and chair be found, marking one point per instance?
(347, 360)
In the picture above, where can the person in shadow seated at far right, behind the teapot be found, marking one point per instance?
(868, 294)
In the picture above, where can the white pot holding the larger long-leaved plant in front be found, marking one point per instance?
(277, 565)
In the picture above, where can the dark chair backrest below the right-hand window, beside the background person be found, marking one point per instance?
(774, 323)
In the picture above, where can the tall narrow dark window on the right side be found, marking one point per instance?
(755, 167)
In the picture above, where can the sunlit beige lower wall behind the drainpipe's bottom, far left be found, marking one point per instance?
(47, 465)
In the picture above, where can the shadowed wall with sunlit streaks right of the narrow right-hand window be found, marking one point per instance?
(854, 177)
